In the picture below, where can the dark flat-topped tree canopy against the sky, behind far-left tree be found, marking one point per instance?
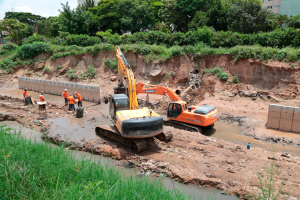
(24, 17)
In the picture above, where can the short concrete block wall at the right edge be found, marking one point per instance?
(284, 118)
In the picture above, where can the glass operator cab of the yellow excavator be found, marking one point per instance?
(117, 102)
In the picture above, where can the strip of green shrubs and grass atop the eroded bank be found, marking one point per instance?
(24, 55)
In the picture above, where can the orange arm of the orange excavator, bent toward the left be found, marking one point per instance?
(142, 88)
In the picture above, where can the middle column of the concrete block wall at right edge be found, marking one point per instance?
(286, 118)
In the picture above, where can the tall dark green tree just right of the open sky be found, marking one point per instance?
(76, 21)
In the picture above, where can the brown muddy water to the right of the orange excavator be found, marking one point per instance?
(229, 132)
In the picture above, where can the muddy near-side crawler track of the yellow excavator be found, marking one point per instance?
(111, 132)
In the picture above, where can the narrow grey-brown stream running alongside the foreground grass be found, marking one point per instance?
(193, 191)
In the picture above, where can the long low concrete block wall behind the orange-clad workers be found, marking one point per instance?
(88, 92)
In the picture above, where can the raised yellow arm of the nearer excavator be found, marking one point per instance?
(126, 80)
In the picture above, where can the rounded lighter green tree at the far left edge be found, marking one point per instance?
(14, 28)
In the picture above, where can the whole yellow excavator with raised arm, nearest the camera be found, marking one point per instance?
(132, 125)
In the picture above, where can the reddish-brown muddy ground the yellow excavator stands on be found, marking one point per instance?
(189, 158)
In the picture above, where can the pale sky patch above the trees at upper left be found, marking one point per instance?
(44, 8)
